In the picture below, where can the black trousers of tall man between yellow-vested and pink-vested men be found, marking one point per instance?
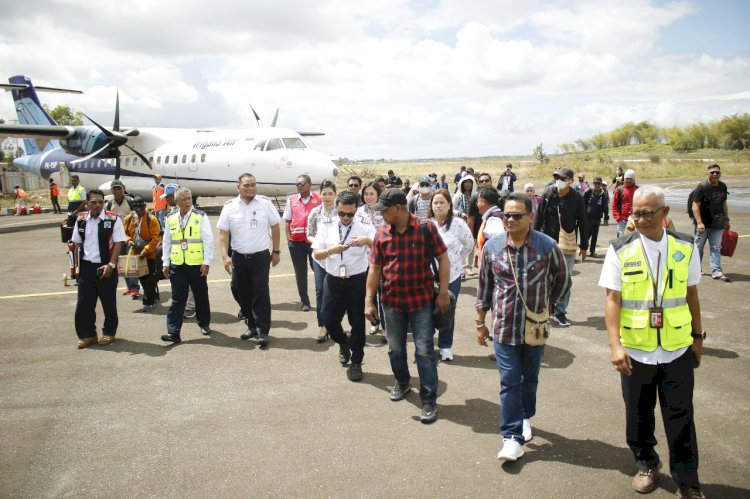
(251, 274)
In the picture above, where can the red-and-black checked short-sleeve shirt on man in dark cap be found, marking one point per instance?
(407, 276)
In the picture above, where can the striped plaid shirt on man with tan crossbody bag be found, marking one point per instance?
(542, 274)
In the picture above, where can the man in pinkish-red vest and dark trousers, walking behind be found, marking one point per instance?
(296, 212)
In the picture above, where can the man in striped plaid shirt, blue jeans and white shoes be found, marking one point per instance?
(542, 275)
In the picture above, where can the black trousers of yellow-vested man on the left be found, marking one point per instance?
(183, 277)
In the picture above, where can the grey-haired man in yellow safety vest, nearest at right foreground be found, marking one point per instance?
(652, 312)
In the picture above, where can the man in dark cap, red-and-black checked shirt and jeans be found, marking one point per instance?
(399, 254)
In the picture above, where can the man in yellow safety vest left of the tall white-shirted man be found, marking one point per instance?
(188, 249)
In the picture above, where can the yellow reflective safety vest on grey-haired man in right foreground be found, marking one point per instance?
(638, 297)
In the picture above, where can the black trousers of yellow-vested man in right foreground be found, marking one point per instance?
(673, 383)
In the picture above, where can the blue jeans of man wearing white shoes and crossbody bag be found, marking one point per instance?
(519, 377)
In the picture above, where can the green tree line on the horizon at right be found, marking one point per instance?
(730, 133)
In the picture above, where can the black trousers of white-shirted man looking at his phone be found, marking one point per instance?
(346, 296)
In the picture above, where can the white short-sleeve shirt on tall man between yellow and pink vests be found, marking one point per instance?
(249, 223)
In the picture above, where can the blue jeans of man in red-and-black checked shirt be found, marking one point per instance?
(422, 332)
